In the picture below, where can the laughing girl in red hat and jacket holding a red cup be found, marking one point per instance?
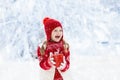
(54, 53)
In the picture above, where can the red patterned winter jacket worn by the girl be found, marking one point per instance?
(53, 47)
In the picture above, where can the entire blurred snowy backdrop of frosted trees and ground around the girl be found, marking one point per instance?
(91, 27)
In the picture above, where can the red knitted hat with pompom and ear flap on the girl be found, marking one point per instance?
(49, 25)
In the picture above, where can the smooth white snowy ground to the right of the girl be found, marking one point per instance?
(97, 68)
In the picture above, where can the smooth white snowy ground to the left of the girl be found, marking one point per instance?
(19, 71)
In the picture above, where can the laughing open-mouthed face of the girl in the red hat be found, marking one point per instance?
(57, 34)
